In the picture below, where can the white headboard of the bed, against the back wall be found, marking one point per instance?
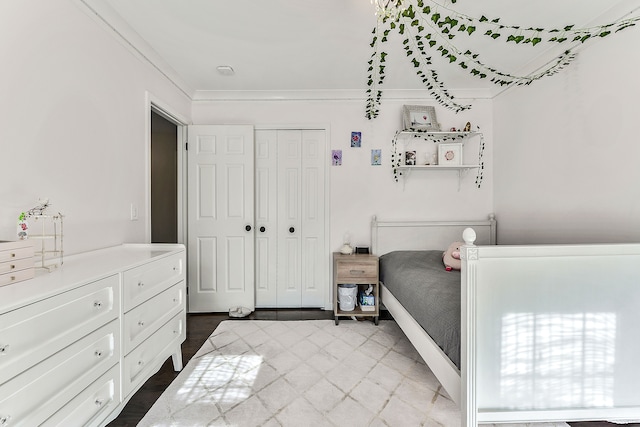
(387, 236)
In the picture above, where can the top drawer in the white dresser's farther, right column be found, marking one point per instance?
(145, 281)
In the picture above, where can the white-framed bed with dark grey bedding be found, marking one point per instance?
(541, 333)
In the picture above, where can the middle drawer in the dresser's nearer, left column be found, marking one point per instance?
(35, 395)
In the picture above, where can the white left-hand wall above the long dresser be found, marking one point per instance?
(73, 123)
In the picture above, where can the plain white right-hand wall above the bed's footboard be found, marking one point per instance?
(567, 151)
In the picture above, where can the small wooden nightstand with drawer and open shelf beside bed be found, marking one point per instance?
(359, 269)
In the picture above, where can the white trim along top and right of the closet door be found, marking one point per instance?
(326, 127)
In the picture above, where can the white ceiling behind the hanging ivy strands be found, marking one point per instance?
(280, 47)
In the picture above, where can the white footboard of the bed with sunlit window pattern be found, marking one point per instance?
(550, 333)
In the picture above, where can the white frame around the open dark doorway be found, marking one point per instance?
(152, 103)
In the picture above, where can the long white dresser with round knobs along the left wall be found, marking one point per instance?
(76, 343)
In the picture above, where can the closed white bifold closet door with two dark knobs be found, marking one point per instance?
(291, 257)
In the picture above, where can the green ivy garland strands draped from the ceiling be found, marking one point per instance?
(432, 28)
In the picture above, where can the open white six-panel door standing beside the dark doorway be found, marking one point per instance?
(221, 218)
